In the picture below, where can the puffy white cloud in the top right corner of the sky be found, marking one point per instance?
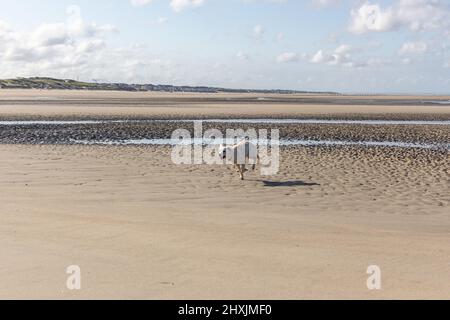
(417, 15)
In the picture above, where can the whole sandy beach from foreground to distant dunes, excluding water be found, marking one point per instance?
(140, 226)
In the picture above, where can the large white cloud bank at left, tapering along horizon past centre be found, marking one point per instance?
(78, 49)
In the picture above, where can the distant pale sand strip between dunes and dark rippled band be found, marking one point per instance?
(43, 104)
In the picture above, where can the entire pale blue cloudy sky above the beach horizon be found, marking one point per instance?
(349, 46)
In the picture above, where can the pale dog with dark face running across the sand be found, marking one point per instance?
(241, 154)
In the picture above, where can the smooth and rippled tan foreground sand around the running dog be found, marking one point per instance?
(141, 227)
